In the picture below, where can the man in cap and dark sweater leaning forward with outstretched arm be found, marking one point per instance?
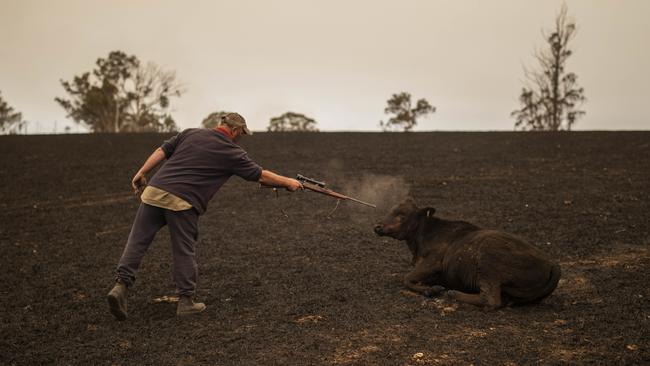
(198, 163)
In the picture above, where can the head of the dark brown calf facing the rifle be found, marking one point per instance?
(402, 220)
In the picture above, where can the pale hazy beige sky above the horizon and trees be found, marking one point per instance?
(336, 61)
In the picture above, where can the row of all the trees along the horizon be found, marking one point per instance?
(123, 95)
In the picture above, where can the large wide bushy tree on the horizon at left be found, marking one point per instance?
(122, 95)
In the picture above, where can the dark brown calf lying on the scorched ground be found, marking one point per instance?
(477, 266)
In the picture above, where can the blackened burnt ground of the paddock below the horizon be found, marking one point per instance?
(315, 288)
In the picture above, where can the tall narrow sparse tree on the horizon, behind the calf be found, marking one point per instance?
(551, 96)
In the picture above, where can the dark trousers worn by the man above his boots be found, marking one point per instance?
(184, 233)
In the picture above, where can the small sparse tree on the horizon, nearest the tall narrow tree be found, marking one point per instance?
(404, 115)
